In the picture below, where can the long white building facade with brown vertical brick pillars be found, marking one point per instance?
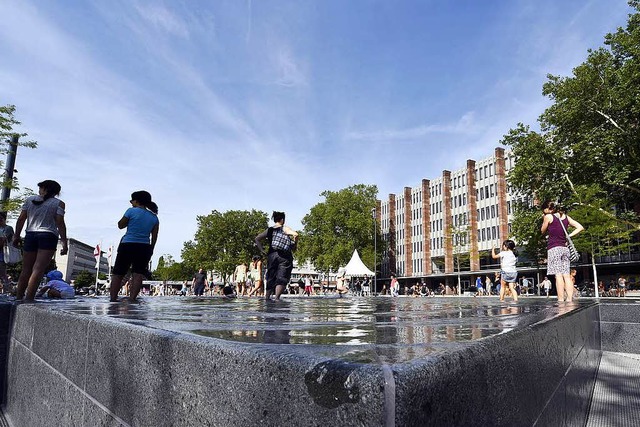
(460, 214)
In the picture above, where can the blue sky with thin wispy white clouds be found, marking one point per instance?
(241, 104)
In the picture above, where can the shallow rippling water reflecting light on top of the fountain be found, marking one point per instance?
(368, 330)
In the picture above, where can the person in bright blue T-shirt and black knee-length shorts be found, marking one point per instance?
(136, 247)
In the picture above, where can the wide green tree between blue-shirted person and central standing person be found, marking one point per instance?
(223, 240)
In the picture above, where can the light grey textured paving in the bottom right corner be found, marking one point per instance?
(616, 397)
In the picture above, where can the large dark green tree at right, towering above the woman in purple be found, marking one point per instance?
(587, 151)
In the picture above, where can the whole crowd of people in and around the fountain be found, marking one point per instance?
(42, 218)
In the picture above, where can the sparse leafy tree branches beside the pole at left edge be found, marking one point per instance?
(8, 123)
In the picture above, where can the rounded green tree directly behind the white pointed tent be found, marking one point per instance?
(337, 226)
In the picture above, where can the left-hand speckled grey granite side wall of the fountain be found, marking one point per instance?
(71, 370)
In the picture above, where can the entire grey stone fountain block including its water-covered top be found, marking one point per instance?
(339, 362)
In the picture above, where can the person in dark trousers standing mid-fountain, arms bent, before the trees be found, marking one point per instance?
(282, 241)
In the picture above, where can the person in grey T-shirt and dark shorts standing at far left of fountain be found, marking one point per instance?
(44, 215)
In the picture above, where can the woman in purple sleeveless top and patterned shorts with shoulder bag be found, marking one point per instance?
(558, 262)
